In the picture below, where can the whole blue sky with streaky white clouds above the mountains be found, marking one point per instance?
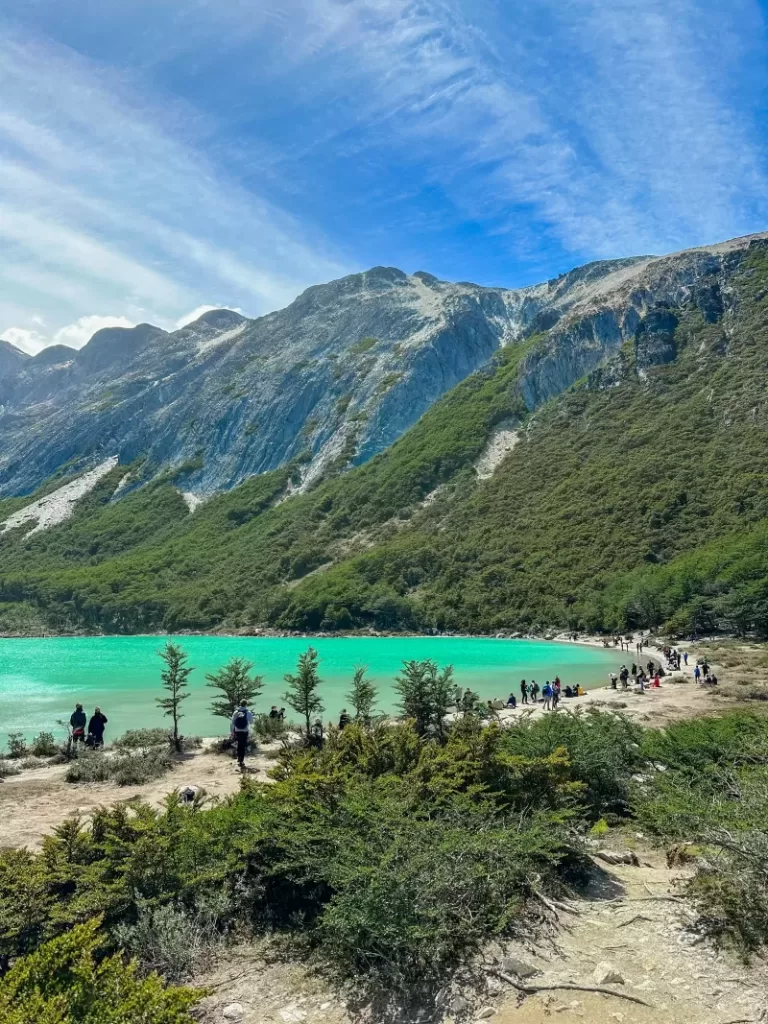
(162, 156)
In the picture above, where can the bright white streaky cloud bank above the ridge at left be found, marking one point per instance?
(106, 204)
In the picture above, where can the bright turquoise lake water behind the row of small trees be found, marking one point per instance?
(41, 679)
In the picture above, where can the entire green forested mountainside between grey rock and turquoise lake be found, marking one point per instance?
(637, 497)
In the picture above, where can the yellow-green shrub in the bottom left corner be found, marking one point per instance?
(65, 983)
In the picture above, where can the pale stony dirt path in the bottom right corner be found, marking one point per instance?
(650, 943)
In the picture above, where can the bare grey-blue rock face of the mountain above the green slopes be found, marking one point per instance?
(335, 377)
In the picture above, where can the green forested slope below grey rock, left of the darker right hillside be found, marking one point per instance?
(144, 562)
